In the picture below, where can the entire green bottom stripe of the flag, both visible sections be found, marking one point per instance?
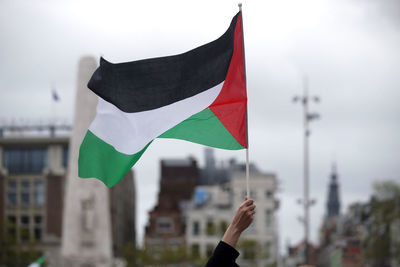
(98, 159)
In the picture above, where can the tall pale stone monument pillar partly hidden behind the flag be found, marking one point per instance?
(86, 236)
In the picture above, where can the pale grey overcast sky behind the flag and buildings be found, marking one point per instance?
(348, 49)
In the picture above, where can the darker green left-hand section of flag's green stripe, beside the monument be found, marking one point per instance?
(100, 160)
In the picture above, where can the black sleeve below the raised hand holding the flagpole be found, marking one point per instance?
(223, 256)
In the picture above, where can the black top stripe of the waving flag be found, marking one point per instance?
(156, 82)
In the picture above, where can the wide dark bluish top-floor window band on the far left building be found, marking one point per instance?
(24, 160)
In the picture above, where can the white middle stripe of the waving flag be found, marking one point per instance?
(129, 132)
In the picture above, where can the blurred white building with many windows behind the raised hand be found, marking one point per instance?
(212, 207)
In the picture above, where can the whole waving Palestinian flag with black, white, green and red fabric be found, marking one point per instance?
(198, 96)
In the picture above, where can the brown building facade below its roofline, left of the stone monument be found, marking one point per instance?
(32, 174)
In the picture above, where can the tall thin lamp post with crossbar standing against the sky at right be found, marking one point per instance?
(306, 202)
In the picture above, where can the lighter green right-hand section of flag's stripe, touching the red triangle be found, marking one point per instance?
(204, 128)
